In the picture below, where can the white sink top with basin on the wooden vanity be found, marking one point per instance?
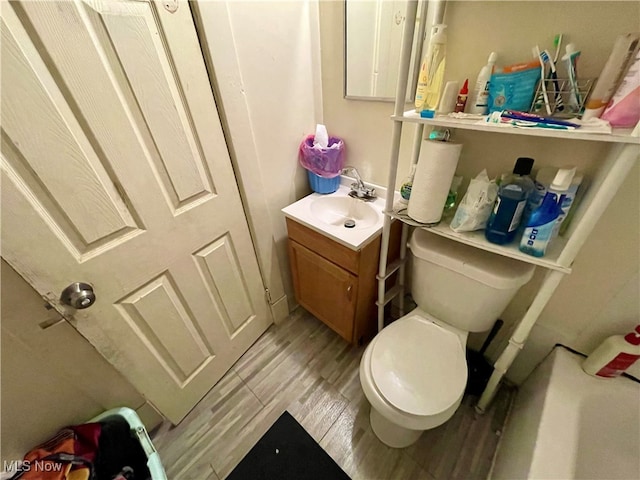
(350, 221)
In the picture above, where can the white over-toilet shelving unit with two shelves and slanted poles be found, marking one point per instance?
(624, 151)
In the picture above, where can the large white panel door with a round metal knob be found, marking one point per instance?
(116, 173)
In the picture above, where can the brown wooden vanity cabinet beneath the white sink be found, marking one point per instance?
(335, 283)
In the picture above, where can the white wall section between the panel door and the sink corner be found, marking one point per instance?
(266, 63)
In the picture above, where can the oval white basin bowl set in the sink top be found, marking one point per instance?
(344, 211)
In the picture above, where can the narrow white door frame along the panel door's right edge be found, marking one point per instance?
(234, 116)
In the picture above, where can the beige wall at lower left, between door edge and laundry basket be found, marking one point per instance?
(50, 377)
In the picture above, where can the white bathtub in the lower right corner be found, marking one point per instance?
(566, 424)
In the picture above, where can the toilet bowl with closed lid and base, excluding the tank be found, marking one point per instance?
(414, 374)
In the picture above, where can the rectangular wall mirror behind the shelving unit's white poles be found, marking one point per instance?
(373, 38)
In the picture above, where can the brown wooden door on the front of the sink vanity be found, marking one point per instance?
(326, 290)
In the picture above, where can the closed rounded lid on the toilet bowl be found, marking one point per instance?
(418, 366)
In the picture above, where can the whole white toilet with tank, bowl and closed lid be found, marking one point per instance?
(414, 372)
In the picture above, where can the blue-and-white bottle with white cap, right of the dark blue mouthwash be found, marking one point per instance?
(539, 229)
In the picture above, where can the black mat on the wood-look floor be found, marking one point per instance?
(287, 452)
